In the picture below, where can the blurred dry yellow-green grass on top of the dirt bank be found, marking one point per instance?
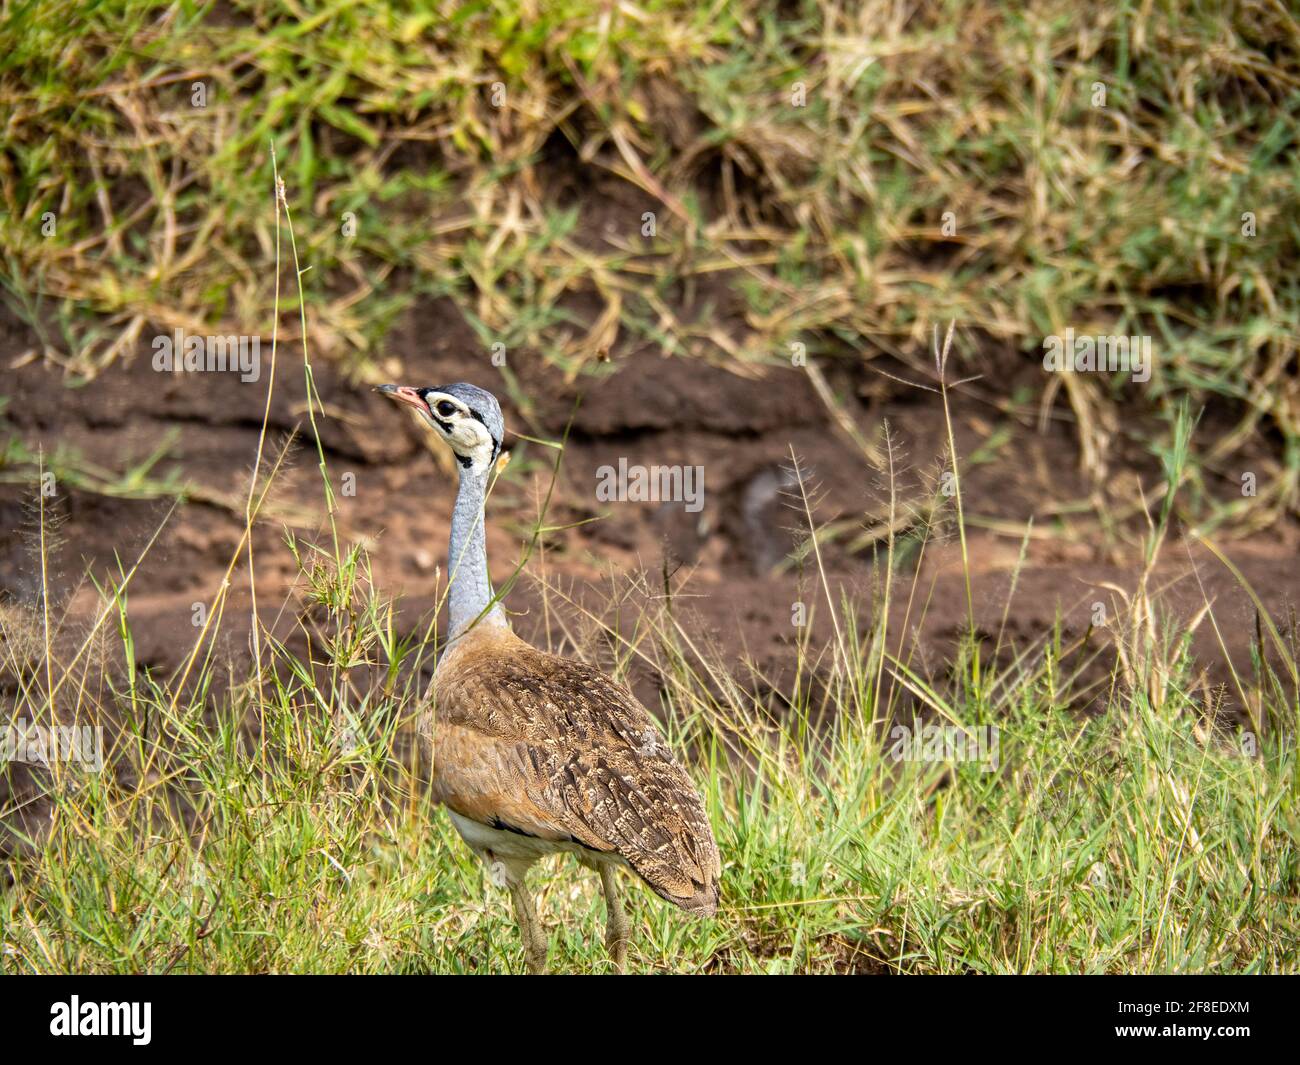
(777, 224)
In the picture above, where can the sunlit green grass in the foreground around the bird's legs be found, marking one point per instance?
(293, 835)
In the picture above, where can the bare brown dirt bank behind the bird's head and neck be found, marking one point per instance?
(731, 582)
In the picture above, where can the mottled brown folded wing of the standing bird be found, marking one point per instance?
(553, 748)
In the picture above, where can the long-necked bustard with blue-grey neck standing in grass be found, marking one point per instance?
(535, 754)
